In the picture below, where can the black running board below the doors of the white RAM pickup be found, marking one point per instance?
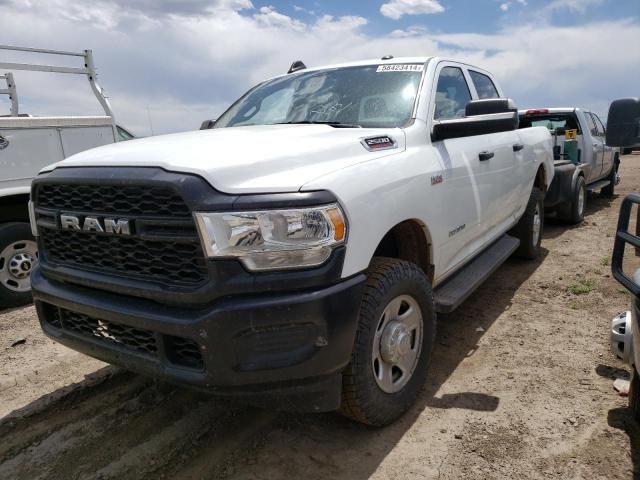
(455, 290)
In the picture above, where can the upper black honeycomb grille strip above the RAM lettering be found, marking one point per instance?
(123, 200)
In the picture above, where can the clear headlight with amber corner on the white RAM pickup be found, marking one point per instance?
(274, 239)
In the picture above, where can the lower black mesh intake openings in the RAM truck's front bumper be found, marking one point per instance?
(180, 351)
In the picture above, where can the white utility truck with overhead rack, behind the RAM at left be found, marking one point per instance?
(27, 144)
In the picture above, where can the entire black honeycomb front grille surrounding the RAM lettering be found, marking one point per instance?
(163, 253)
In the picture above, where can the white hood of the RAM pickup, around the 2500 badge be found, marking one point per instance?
(252, 159)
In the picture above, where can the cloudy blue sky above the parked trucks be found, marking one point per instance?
(166, 65)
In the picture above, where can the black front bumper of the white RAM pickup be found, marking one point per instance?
(280, 349)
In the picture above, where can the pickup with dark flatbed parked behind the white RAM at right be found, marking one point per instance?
(582, 158)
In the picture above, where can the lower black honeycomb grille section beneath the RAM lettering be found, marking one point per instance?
(162, 261)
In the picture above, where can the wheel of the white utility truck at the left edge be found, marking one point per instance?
(18, 256)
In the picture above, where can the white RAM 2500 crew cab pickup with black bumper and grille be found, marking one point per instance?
(296, 253)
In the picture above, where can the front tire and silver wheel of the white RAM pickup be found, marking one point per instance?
(394, 342)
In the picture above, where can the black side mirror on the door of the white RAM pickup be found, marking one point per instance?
(481, 117)
